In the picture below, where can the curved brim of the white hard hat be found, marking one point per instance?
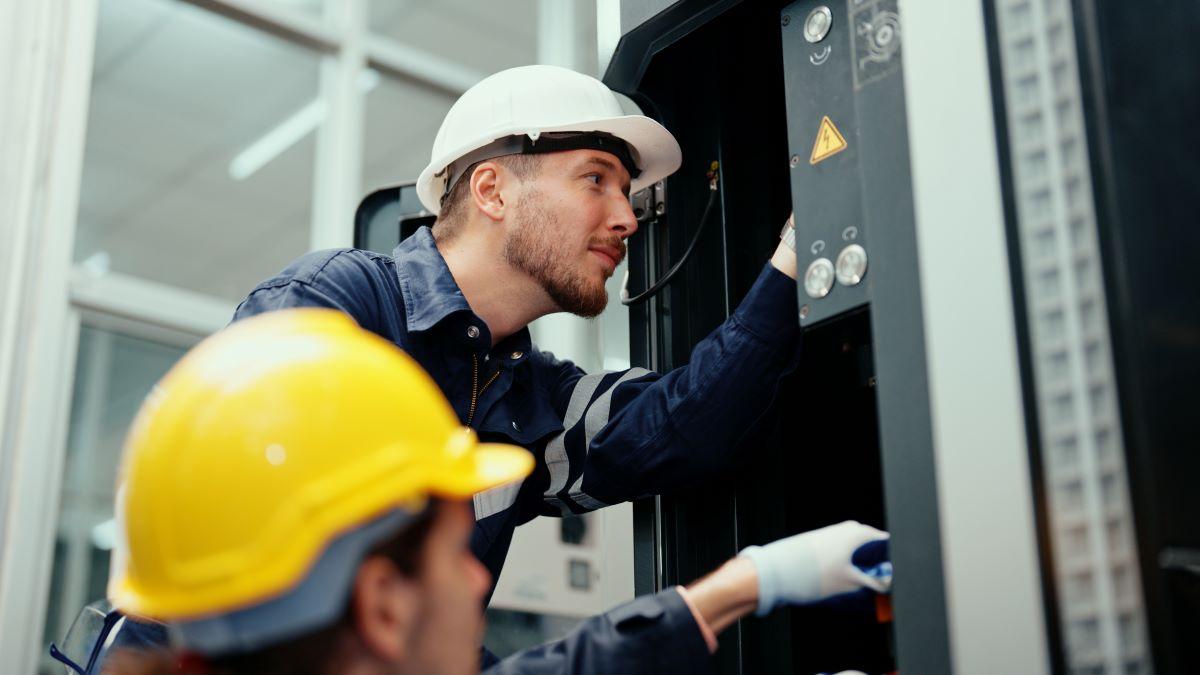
(655, 148)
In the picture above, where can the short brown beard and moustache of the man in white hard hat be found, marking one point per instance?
(537, 248)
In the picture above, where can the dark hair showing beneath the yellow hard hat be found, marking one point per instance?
(310, 653)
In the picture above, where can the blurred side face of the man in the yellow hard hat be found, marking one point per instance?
(448, 635)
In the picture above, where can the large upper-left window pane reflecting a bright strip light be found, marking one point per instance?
(200, 154)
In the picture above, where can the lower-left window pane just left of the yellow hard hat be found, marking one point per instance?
(113, 375)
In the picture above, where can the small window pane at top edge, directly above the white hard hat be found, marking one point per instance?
(485, 37)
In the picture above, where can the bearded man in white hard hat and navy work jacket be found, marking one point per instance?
(531, 177)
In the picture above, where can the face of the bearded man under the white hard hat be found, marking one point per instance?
(569, 230)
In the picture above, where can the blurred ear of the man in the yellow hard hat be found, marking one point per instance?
(386, 608)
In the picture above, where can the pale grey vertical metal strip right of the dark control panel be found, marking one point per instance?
(995, 616)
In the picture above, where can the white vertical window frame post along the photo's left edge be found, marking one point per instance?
(50, 70)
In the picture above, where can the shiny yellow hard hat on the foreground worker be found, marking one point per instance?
(269, 441)
